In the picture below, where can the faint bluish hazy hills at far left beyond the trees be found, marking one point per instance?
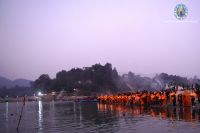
(4, 82)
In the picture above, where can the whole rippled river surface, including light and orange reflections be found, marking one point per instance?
(69, 117)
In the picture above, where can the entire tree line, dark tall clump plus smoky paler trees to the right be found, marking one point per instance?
(105, 79)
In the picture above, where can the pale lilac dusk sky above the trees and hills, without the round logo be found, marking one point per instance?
(142, 36)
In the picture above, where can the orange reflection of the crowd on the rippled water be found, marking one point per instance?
(172, 113)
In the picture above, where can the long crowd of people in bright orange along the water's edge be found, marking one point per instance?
(157, 98)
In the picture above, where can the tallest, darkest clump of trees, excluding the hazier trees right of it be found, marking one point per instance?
(86, 81)
